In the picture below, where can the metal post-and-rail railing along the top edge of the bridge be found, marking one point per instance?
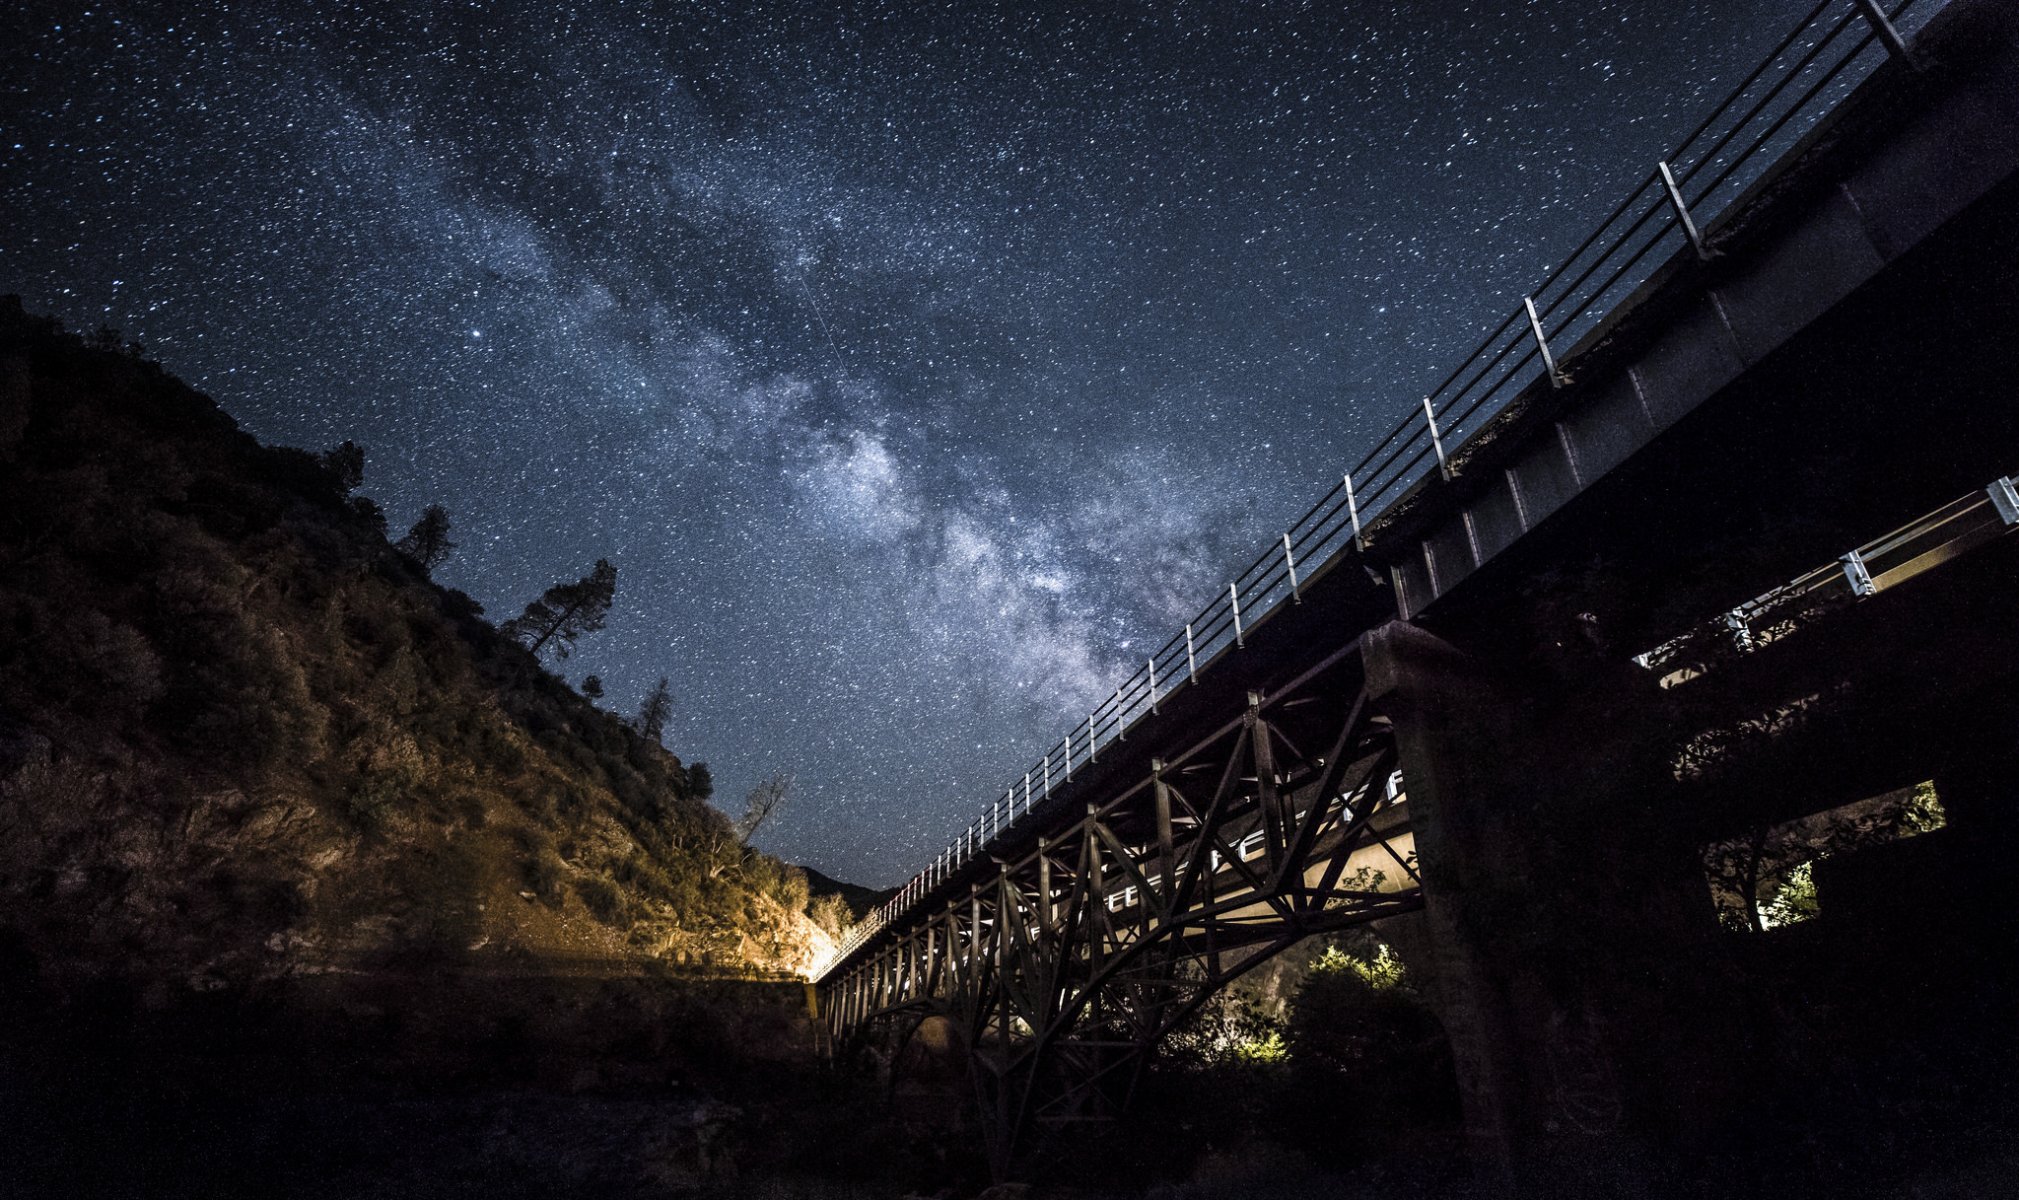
(1806, 76)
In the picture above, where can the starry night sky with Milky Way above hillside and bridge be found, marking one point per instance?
(920, 367)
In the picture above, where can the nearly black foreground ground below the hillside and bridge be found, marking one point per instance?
(651, 1088)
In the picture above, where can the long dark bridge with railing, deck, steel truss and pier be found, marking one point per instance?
(1707, 532)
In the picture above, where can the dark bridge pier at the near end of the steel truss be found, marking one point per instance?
(1568, 938)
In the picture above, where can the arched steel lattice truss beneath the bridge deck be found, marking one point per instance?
(1073, 961)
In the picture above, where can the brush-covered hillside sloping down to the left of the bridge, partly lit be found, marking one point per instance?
(247, 740)
